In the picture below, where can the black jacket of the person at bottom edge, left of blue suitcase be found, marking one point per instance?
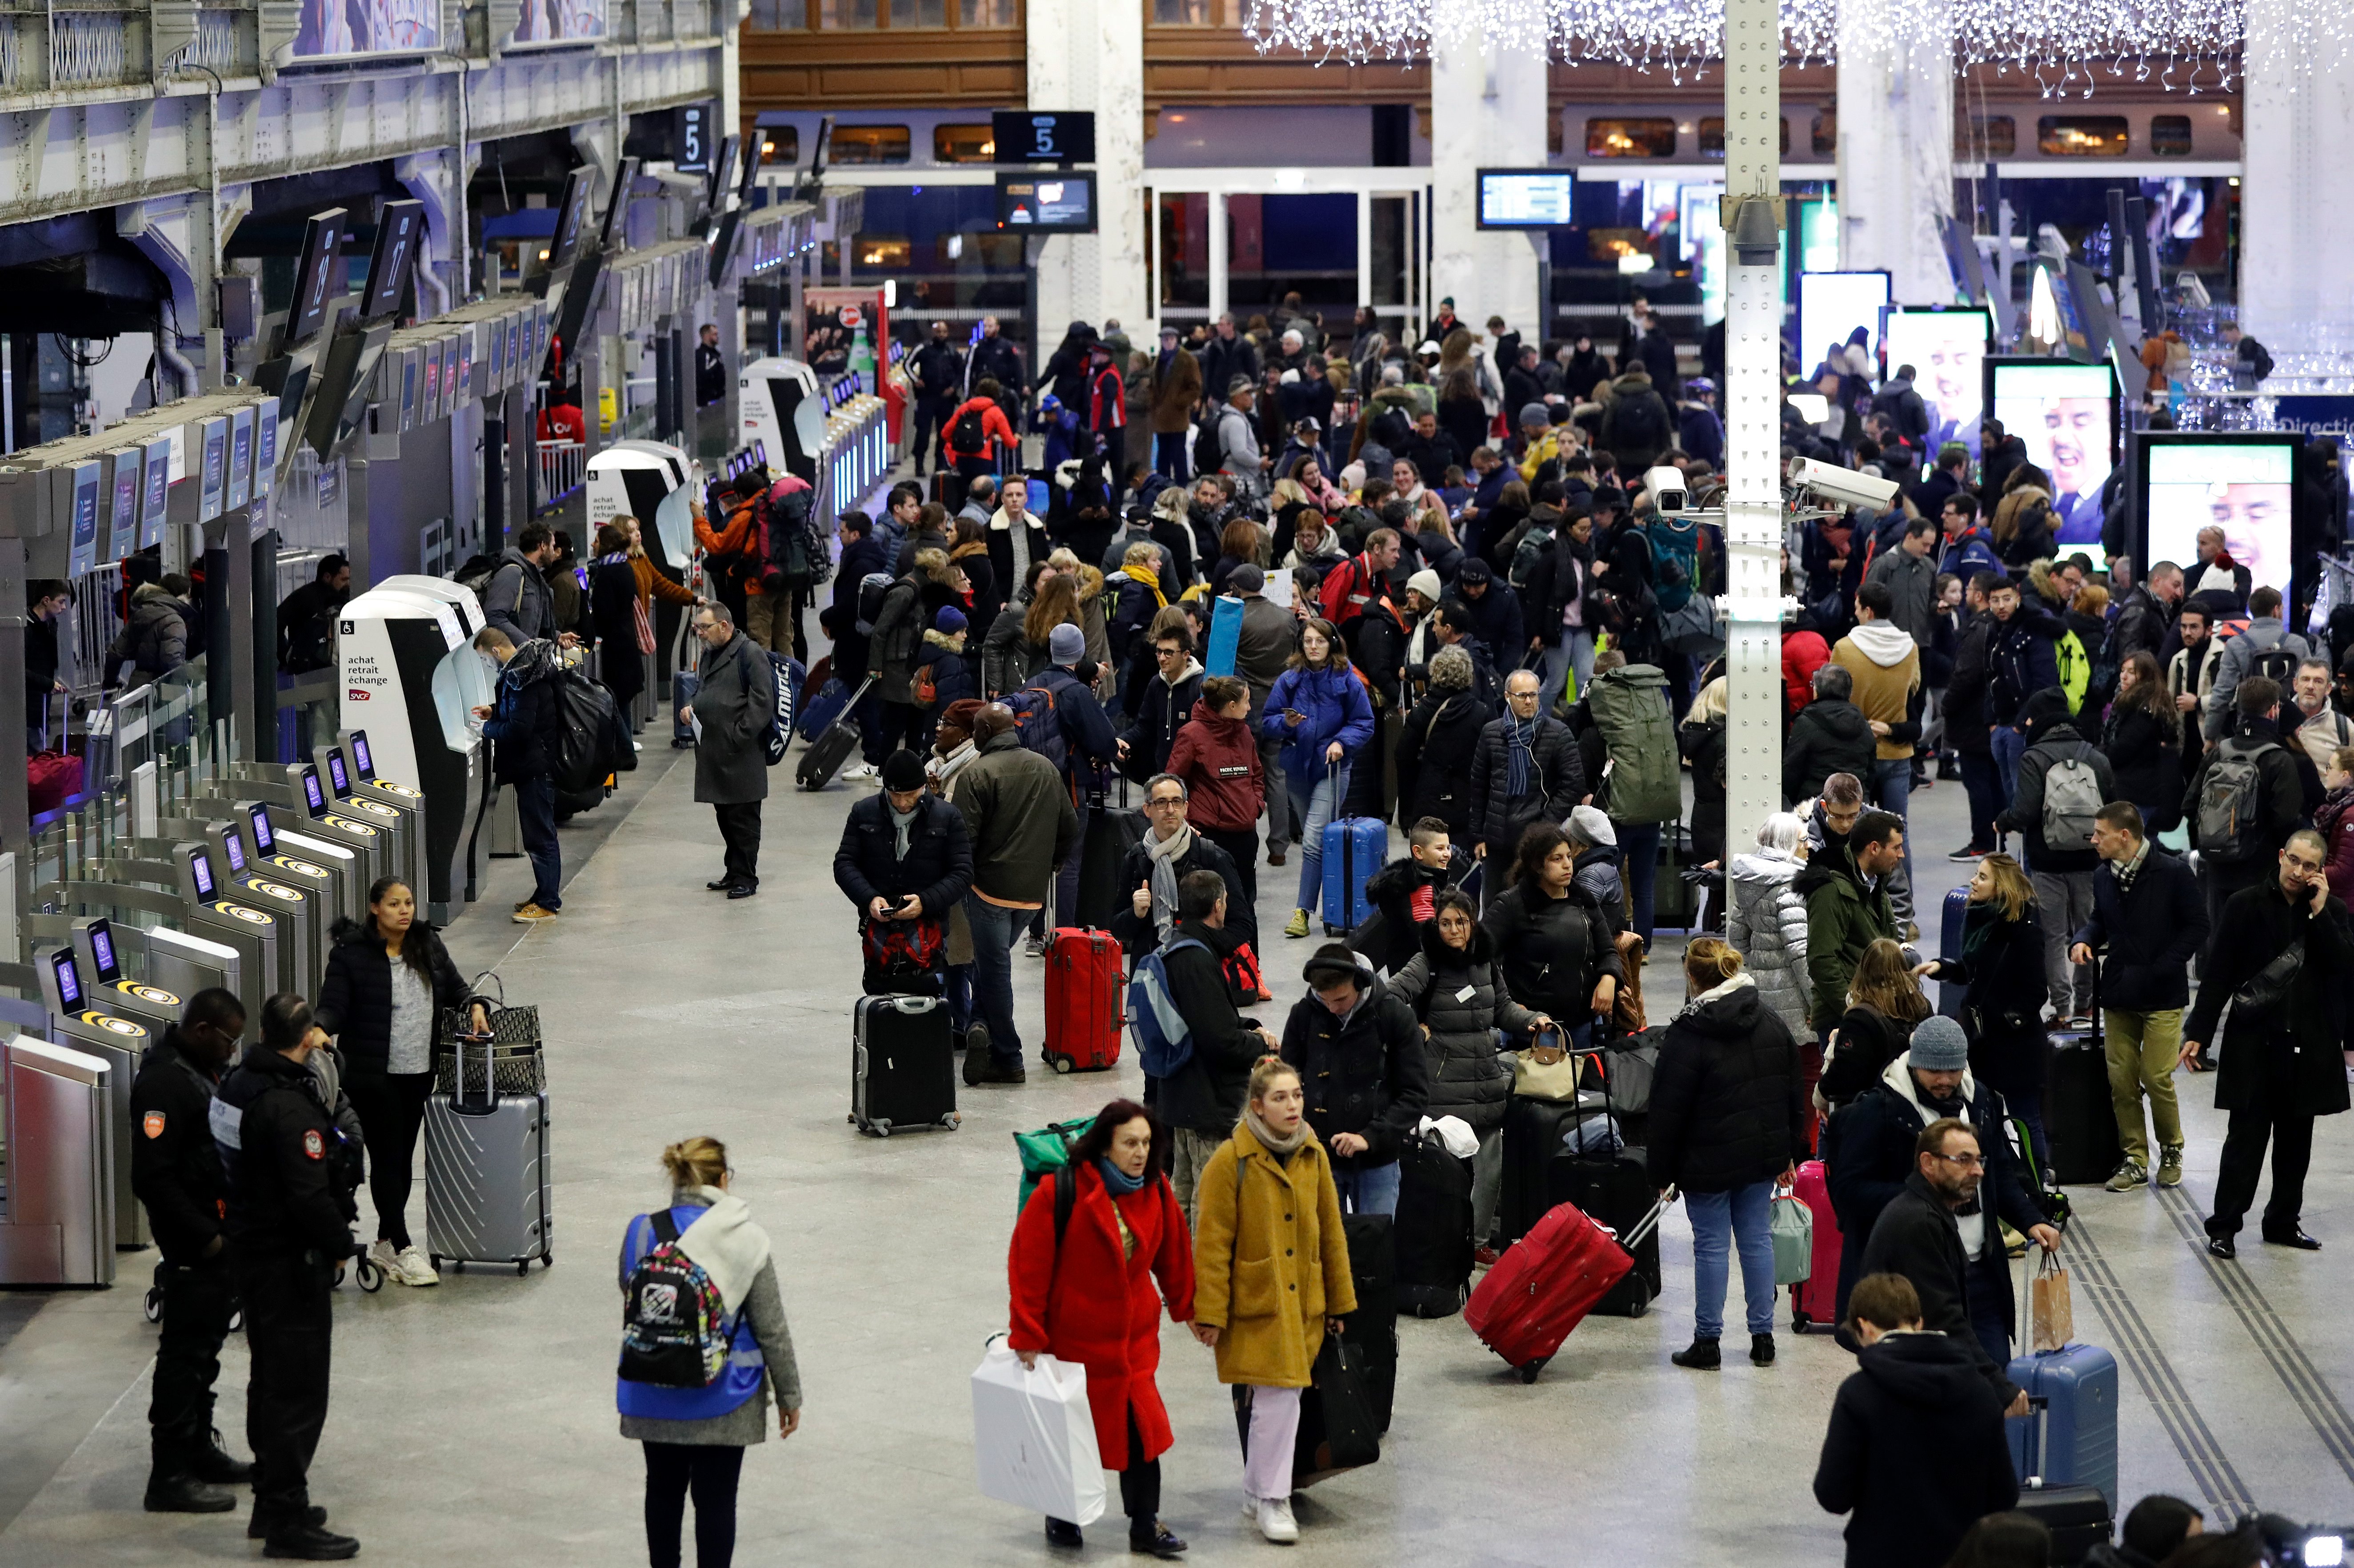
(1915, 1454)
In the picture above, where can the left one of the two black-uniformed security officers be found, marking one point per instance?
(178, 1174)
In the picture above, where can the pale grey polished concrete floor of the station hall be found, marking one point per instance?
(474, 1421)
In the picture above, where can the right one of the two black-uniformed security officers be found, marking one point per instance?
(291, 1209)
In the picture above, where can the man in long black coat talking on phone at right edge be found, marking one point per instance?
(2277, 959)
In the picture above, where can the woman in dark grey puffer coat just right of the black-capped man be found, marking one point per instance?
(1461, 1002)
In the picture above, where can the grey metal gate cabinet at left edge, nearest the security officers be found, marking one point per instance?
(58, 1211)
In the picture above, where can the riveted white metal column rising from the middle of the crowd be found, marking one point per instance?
(1753, 430)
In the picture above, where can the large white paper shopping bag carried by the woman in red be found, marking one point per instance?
(1035, 1437)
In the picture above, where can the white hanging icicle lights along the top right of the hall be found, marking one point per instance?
(2066, 46)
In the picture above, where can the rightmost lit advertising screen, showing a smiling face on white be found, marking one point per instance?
(2237, 484)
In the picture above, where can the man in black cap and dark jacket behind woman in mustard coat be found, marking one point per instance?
(1359, 1054)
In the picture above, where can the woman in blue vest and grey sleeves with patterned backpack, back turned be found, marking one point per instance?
(696, 1435)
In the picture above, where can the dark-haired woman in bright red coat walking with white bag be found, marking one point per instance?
(1098, 1305)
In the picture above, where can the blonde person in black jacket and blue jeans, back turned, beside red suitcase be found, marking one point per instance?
(1727, 1124)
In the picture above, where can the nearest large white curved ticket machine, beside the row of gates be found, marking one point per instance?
(411, 679)
